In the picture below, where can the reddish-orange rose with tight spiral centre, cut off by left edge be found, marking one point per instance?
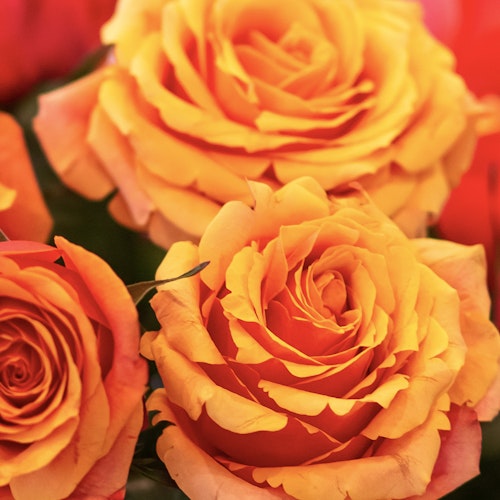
(71, 378)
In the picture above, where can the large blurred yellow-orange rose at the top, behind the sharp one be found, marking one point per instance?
(200, 96)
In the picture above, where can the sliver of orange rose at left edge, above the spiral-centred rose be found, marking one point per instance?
(23, 213)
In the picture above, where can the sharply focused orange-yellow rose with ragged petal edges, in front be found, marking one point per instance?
(321, 354)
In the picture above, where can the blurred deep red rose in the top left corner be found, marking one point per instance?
(42, 39)
